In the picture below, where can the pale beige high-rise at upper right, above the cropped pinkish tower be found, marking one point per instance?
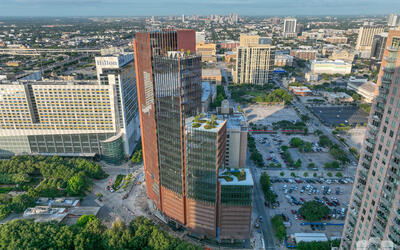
(365, 38)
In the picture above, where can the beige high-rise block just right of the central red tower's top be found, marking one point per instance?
(255, 61)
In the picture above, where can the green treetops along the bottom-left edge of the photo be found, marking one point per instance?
(141, 233)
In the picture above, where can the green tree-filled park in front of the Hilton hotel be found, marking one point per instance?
(25, 178)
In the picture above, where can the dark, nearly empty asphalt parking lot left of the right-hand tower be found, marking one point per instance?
(333, 116)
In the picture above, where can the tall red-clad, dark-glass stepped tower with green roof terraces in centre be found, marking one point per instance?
(184, 156)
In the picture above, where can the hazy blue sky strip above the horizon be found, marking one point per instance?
(199, 7)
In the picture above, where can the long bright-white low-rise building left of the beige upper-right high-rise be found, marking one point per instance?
(330, 67)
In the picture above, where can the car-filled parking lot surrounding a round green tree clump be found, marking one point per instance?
(294, 191)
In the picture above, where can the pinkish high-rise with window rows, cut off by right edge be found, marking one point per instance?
(374, 210)
